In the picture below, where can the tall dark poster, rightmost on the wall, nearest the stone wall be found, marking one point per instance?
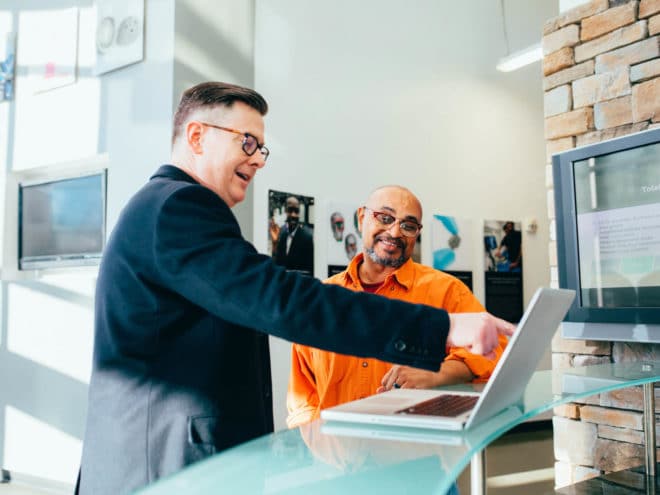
(503, 262)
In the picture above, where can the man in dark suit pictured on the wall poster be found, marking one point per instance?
(294, 243)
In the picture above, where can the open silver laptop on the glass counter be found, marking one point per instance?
(458, 410)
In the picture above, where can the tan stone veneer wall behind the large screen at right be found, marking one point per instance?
(601, 71)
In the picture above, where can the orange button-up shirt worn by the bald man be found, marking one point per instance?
(321, 379)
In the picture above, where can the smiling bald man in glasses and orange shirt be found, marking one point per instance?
(390, 225)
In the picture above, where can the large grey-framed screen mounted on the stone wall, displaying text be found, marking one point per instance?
(607, 205)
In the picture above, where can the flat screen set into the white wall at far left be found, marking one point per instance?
(61, 222)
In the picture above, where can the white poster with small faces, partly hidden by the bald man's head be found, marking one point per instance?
(344, 236)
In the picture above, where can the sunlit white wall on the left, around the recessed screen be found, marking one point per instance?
(47, 320)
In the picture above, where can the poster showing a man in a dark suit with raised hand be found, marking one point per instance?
(291, 230)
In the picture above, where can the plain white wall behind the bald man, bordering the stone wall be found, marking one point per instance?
(377, 92)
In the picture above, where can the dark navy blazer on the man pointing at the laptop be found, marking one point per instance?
(183, 305)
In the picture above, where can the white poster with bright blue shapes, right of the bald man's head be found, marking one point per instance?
(452, 246)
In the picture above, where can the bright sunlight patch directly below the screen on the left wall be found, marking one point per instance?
(63, 343)
